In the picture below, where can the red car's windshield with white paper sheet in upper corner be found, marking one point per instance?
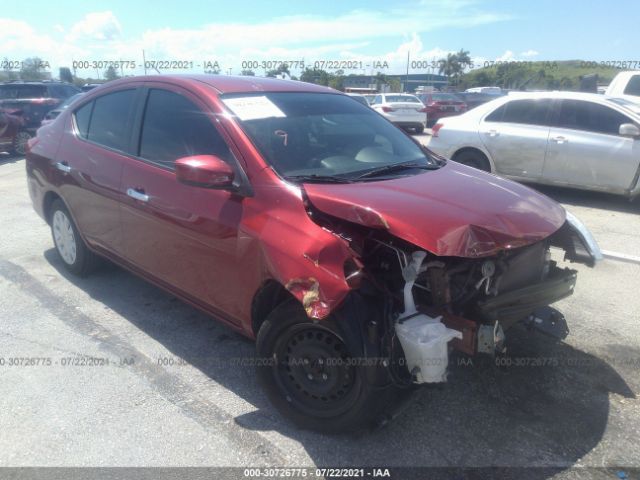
(323, 137)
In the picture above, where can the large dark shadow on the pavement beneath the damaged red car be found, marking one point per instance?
(546, 405)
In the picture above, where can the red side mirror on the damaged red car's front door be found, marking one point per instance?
(207, 171)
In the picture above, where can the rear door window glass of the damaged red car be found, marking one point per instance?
(109, 119)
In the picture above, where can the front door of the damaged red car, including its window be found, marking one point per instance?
(184, 236)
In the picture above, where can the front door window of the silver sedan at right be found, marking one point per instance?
(590, 117)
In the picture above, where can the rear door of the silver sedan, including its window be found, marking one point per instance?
(516, 134)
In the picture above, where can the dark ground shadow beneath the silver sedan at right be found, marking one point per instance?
(584, 198)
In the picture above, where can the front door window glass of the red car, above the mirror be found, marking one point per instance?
(174, 127)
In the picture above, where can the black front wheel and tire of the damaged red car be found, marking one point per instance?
(305, 369)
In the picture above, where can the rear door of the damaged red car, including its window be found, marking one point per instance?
(89, 165)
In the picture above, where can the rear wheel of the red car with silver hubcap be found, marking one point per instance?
(73, 252)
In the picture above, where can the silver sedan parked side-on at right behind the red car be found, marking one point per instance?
(580, 140)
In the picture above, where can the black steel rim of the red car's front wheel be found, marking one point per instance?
(315, 371)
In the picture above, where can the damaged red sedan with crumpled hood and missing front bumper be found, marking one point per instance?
(355, 257)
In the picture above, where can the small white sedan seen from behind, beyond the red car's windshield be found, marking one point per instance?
(404, 110)
